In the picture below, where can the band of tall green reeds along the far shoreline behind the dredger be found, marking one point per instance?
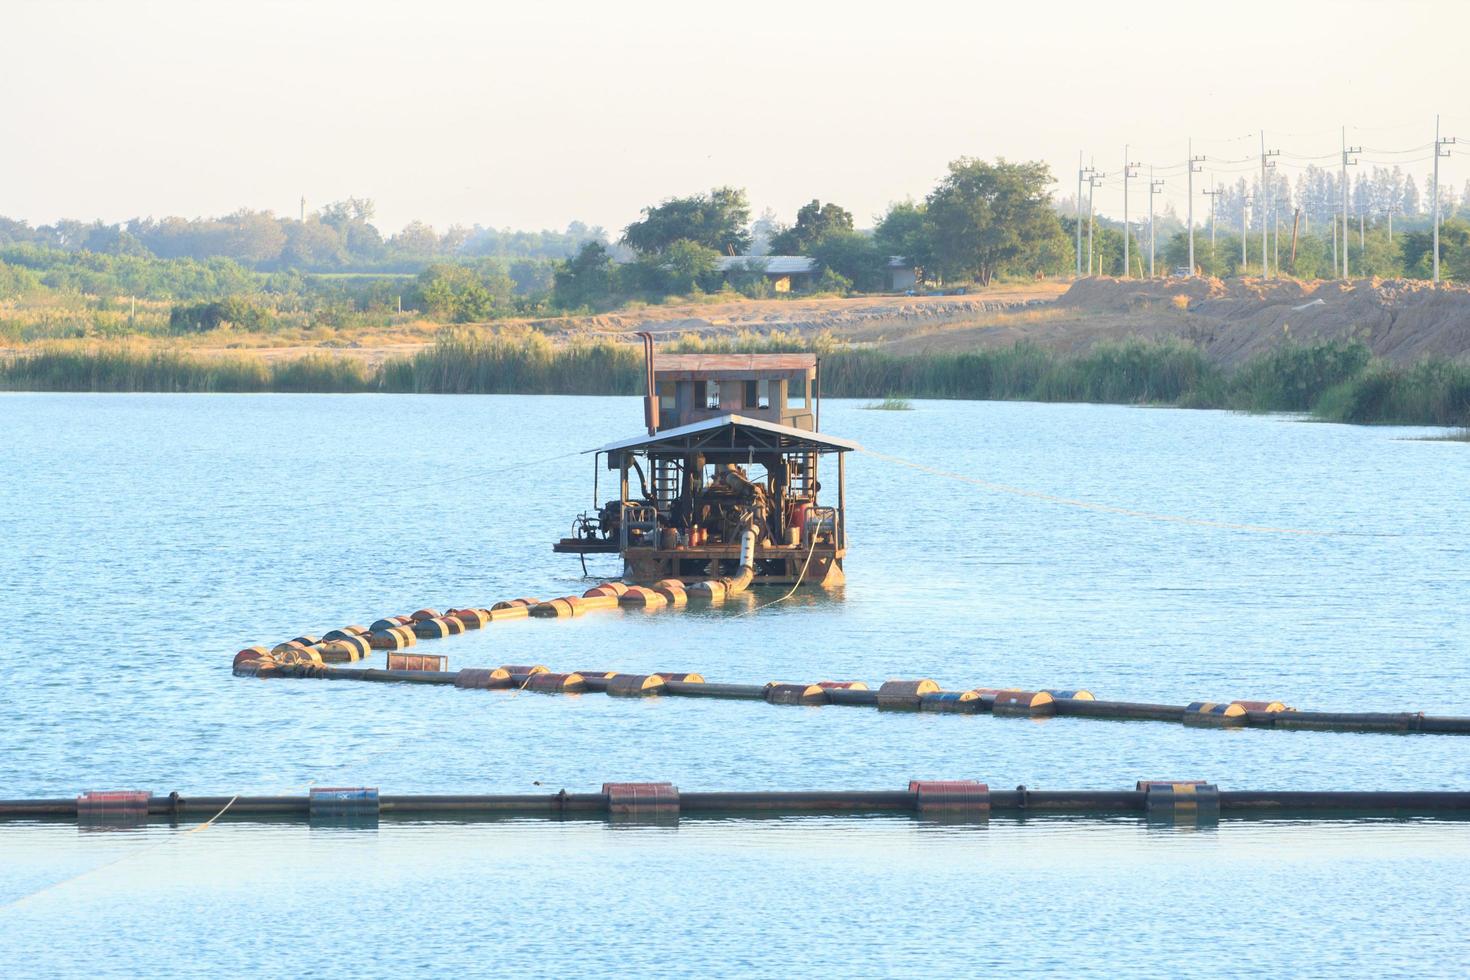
(1334, 381)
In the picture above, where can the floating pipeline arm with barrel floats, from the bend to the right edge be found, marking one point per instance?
(922, 696)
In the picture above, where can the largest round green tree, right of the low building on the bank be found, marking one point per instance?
(986, 217)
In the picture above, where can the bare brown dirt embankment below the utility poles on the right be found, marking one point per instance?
(1400, 321)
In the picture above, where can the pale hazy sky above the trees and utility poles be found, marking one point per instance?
(539, 114)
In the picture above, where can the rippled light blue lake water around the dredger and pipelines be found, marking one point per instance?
(149, 537)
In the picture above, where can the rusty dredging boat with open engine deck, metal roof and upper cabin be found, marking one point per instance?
(728, 475)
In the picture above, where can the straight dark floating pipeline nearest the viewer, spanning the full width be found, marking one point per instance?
(1188, 803)
